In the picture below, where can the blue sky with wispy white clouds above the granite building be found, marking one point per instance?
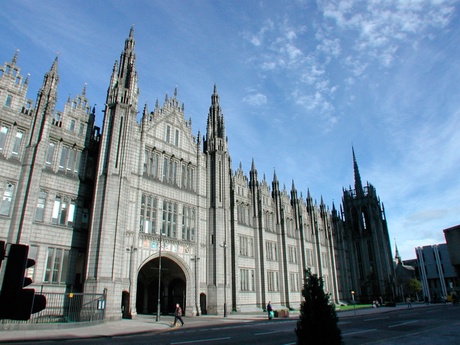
(300, 83)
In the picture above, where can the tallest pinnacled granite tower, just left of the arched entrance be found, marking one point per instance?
(111, 195)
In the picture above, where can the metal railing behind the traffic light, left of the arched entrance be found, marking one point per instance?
(67, 308)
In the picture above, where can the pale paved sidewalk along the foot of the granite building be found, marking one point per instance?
(146, 323)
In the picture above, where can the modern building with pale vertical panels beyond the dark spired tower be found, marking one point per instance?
(437, 274)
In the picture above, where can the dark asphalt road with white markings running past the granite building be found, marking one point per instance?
(433, 325)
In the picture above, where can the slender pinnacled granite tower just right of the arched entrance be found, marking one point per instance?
(218, 191)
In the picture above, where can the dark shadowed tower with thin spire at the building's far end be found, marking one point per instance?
(367, 241)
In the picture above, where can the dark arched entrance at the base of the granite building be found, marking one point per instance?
(172, 290)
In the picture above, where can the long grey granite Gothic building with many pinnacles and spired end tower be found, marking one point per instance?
(154, 215)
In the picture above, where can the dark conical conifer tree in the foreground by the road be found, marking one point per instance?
(318, 320)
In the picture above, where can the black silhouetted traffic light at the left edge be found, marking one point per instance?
(17, 303)
